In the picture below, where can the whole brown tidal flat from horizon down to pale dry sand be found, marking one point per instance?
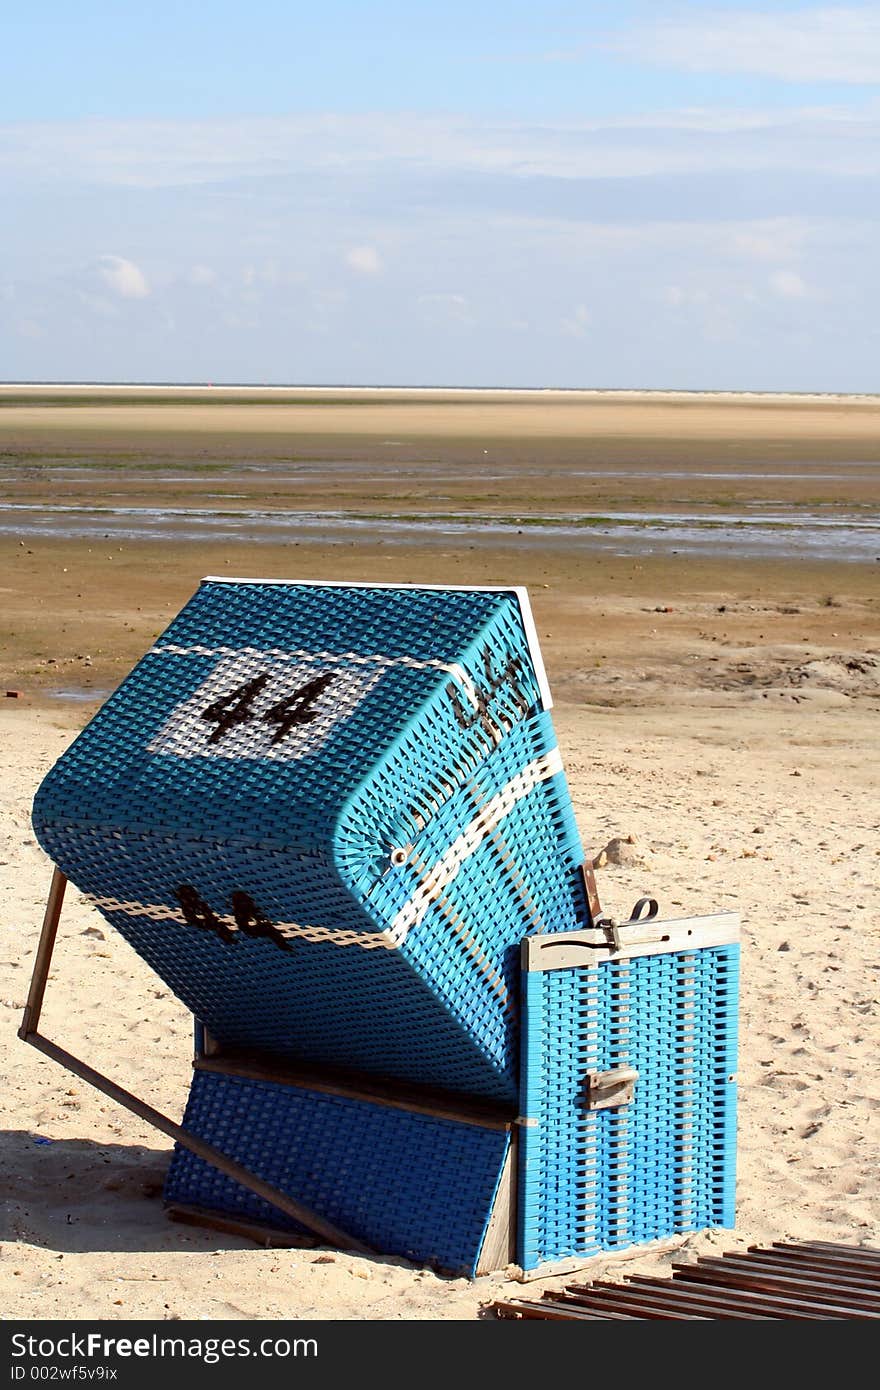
(450, 461)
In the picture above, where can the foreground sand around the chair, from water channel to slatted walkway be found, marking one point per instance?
(722, 714)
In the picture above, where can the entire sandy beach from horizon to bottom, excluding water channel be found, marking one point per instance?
(718, 707)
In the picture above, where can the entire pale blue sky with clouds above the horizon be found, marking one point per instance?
(579, 195)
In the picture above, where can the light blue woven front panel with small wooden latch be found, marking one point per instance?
(604, 1179)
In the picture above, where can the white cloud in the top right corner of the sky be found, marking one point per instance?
(831, 44)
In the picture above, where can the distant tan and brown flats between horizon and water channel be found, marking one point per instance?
(543, 447)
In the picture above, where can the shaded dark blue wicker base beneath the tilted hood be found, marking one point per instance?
(404, 1184)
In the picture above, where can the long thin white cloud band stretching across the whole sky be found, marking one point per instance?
(188, 155)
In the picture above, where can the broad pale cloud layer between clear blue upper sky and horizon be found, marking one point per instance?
(668, 250)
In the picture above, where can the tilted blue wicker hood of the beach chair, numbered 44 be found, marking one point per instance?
(258, 878)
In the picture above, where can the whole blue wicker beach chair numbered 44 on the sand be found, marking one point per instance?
(334, 821)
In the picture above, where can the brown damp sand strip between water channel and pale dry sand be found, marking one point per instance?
(77, 616)
